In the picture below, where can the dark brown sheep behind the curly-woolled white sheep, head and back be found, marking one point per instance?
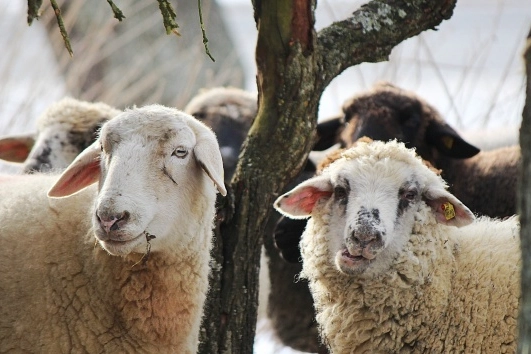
(388, 112)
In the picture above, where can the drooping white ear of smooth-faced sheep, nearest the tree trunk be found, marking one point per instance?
(207, 153)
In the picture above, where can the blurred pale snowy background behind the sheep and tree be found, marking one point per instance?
(470, 68)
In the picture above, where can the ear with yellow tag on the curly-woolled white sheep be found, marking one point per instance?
(448, 209)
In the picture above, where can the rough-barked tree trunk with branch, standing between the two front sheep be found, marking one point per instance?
(294, 67)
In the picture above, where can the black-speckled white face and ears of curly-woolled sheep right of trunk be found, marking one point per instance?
(368, 201)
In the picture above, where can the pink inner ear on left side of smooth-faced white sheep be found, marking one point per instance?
(82, 172)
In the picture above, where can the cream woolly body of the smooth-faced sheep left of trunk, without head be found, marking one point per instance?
(76, 297)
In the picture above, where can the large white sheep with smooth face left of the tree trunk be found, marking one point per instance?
(141, 288)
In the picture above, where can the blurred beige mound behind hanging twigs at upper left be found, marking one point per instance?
(134, 61)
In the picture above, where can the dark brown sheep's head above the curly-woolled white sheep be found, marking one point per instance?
(388, 112)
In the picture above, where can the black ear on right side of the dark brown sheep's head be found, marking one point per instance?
(448, 142)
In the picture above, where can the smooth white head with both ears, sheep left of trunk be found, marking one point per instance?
(149, 158)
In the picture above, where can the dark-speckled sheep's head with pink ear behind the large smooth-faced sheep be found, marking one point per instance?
(64, 129)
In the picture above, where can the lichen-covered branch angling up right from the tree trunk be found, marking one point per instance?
(375, 29)
